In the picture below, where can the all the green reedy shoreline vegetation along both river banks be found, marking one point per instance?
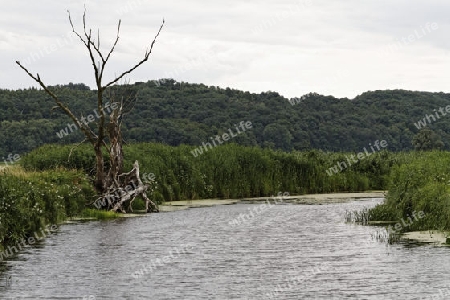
(48, 188)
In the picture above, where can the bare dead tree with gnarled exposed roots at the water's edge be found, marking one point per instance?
(116, 189)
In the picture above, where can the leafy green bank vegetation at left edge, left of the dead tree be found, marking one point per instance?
(30, 201)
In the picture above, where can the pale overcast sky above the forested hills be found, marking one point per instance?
(333, 47)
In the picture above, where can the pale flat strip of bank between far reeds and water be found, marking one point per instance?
(310, 199)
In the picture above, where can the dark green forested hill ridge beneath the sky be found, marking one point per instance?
(181, 113)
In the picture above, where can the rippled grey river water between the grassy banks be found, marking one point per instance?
(283, 252)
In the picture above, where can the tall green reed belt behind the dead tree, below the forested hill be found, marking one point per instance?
(230, 170)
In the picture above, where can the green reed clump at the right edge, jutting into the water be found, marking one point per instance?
(421, 184)
